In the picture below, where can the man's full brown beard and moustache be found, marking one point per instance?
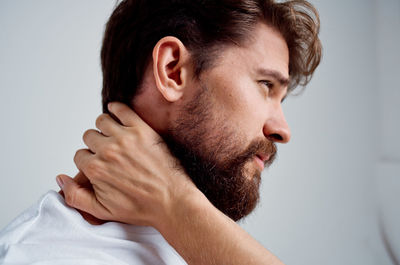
(215, 157)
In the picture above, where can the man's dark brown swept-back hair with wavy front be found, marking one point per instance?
(204, 26)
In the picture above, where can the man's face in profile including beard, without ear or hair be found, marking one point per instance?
(226, 130)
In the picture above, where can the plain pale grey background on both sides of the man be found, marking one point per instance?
(333, 189)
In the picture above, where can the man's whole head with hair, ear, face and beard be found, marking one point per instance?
(210, 77)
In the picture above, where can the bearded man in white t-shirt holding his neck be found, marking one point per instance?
(209, 78)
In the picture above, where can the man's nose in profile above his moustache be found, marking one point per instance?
(276, 128)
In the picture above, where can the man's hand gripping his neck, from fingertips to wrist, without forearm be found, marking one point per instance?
(134, 179)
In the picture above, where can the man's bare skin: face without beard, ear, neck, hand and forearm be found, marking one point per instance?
(117, 182)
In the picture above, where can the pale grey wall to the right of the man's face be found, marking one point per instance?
(321, 203)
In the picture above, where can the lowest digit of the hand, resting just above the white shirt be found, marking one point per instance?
(81, 198)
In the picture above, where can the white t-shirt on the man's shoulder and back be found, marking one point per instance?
(50, 232)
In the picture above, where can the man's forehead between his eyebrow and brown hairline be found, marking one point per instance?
(265, 49)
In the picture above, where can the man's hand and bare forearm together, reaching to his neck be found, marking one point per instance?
(131, 177)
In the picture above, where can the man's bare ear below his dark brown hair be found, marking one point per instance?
(170, 67)
